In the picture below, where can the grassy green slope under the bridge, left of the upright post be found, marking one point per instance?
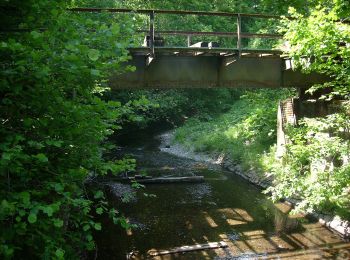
(245, 132)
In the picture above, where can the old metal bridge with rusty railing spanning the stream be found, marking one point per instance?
(206, 64)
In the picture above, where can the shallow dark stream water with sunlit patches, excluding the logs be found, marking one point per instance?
(223, 208)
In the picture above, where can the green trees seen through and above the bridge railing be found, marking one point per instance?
(216, 24)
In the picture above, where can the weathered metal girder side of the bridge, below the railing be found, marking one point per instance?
(206, 68)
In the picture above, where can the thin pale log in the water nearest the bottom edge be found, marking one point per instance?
(184, 249)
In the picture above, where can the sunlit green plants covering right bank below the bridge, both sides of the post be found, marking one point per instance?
(314, 171)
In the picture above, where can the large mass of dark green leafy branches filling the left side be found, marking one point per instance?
(54, 126)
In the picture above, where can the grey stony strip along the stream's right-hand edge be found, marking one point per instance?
(334, 223)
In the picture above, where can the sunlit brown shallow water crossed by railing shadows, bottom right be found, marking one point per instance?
(259, 243)
